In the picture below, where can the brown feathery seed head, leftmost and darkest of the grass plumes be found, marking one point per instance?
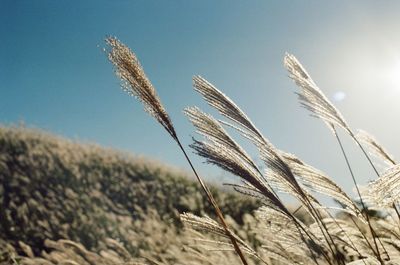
(135, 82)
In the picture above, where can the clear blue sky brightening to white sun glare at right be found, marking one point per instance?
(54, 75)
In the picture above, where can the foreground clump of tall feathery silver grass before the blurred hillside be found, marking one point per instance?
(351, 236)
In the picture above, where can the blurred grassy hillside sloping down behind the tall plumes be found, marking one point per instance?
(54, 189)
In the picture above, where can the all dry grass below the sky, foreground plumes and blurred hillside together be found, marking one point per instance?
(68, 204)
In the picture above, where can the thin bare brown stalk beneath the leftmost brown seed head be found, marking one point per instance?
(215, 205)
